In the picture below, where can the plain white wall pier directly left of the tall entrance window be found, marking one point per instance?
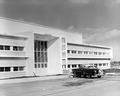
(29, 45)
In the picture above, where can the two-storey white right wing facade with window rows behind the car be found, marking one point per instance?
(88, 55)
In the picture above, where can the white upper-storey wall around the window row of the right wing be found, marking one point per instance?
(89, 49)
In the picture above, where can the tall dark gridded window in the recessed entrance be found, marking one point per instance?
(40, 53)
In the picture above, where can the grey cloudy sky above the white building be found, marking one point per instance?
(98, 20)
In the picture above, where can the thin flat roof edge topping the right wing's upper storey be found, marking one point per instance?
(90, 45)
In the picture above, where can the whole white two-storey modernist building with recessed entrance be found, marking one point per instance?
(28, 49)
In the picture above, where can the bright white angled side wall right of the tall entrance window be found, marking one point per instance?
(54, 57)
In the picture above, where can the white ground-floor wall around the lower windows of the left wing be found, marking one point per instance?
(12, 63)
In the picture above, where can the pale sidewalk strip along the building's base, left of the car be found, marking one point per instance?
(30, 79)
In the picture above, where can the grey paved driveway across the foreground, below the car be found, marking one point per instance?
(107, 86)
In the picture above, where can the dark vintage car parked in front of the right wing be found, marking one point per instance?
(87, 72)
